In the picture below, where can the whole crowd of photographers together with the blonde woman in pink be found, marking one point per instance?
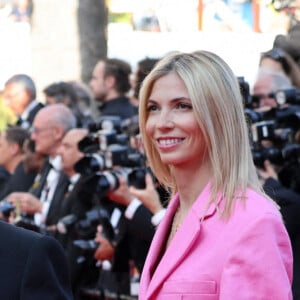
(179, 183)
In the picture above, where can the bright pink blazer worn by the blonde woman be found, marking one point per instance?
(248, 256)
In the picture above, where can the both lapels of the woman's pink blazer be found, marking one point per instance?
(180, 245)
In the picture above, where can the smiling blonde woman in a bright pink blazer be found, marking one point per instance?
(221, 237)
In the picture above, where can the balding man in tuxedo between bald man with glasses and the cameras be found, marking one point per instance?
(74, 205)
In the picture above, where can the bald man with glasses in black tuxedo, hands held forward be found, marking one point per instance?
(43, 199)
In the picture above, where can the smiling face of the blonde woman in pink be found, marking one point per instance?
(171, 123)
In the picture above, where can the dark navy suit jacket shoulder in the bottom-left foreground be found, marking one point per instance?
(33, 266)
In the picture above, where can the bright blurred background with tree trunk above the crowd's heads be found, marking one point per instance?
(62, 40)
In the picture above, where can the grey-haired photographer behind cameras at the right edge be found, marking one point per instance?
(276, 152)
